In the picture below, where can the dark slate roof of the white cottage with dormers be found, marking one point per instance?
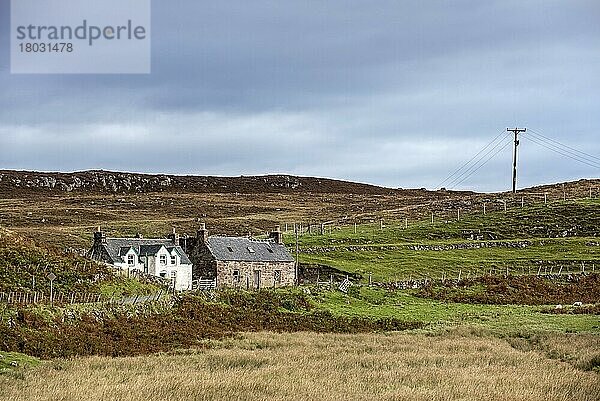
(116, 248)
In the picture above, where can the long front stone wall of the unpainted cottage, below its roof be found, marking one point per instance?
(244, 274)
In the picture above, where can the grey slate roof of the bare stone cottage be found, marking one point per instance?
(247, 249)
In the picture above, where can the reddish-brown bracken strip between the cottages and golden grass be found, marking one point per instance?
(187, 324)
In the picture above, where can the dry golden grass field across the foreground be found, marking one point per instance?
(308, 366)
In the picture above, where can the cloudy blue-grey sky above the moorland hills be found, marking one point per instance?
(395, 93)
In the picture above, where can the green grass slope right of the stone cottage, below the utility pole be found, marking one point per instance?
(562, 234)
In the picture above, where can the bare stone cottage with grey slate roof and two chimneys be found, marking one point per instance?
(242, 262)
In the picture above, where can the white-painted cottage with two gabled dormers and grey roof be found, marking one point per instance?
(157, 257)
